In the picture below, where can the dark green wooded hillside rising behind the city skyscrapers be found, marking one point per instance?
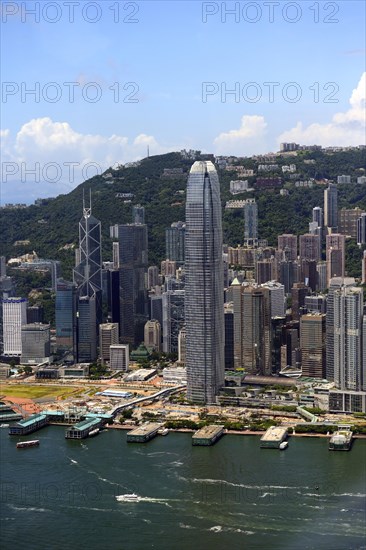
(52, 226)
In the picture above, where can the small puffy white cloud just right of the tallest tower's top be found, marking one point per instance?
(246, 140)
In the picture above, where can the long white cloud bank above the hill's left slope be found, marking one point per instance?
(46, 158)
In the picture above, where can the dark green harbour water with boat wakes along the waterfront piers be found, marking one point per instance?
(62, 494)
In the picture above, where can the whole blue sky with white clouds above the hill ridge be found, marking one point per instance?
(162, 59)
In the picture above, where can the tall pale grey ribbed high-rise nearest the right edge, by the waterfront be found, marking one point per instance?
(347, 334)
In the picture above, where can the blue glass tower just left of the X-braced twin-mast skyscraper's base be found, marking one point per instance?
(65, 315)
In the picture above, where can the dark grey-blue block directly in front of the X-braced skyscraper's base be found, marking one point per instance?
(86, 326)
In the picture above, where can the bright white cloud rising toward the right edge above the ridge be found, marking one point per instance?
(348, 128)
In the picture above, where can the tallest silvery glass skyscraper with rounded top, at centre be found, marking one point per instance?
(204, 304)
